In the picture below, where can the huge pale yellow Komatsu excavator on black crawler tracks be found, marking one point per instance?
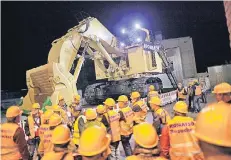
(126, 69)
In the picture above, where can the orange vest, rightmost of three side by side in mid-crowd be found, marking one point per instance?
(140, 116)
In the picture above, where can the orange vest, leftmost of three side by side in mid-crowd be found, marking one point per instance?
(113, 120)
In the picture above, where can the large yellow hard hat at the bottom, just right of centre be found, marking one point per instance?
(145, 135)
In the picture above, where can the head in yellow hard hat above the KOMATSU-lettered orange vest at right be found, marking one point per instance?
(180, 108)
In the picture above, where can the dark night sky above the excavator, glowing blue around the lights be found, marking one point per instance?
(28, 28)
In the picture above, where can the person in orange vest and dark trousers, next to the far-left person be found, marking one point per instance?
(32, 126)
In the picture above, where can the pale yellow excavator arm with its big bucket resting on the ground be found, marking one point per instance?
(54, 78)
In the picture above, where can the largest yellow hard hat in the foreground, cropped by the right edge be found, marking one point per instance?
(213, 124)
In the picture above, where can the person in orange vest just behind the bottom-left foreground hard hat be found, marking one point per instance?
(45, 144)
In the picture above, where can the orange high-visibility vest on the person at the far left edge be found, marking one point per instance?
(9, 149)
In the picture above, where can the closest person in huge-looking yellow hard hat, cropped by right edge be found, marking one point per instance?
(213, 129)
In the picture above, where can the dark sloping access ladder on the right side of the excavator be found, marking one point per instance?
(167, 67)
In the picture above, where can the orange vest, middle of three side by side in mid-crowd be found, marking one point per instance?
(127, 125)
